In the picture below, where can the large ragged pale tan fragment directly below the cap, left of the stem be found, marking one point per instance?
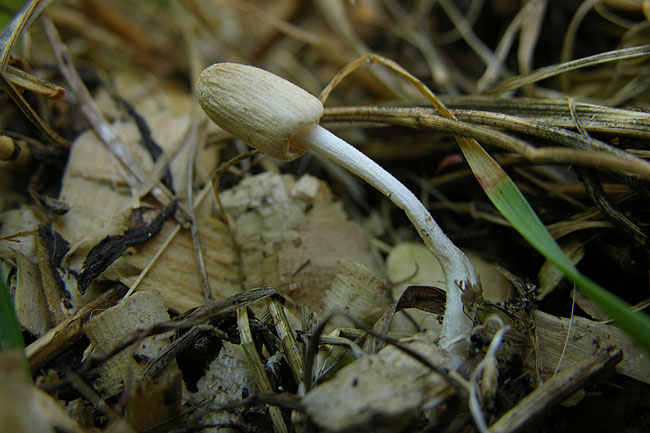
(291, 235)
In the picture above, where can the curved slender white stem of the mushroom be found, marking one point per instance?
(455, 265)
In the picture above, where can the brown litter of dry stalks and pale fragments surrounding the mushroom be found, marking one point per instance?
(100, 187)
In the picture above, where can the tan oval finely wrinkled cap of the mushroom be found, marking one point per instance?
(259, 107)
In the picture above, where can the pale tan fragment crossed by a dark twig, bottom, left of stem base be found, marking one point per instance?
(382, 391)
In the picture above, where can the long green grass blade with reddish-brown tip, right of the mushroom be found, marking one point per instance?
(507, 198)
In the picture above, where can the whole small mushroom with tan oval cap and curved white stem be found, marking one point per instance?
(281, 119)
